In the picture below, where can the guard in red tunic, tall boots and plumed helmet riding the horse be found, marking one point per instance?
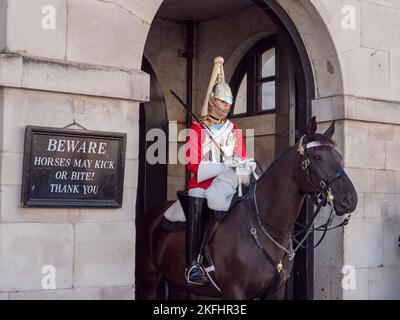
(214, 147)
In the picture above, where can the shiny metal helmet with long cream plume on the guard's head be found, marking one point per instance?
(217, 88)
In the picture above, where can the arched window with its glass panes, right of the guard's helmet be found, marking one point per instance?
(254, 81)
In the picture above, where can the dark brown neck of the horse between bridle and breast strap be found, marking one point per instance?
(279, 188)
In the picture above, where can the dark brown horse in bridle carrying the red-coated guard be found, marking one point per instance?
(249, 247)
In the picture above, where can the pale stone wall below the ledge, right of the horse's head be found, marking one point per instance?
(373, 164)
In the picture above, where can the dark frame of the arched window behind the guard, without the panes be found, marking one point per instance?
(251, 65)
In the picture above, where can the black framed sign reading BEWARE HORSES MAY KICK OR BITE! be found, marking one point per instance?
(73, 168)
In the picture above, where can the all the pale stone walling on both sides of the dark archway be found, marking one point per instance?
(89, 69)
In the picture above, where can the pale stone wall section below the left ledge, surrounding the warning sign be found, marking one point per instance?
(90, 248)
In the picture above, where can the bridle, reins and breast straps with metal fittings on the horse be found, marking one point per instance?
(322, 196)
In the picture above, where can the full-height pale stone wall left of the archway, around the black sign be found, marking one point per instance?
(80, 70)
